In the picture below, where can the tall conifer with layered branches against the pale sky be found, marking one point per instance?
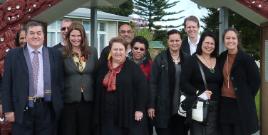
(155, 11)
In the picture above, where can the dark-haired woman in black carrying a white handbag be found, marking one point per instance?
(193, 85)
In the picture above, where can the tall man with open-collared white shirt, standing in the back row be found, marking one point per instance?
(191, 27)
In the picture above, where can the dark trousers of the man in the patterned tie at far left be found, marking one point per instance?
(39, 120)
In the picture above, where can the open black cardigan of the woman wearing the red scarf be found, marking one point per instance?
(131, 93)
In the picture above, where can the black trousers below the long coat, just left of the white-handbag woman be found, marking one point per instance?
(176, 126)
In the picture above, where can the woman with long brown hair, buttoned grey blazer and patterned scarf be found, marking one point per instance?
(79, 64)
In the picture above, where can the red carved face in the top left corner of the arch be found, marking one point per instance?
(13, 10)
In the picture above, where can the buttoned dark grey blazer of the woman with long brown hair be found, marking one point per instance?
(75, 80)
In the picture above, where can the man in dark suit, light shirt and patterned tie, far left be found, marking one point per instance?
(32, 85)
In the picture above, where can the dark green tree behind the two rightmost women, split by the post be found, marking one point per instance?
(249, 32)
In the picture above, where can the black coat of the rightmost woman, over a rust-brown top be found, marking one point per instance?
(245, 78)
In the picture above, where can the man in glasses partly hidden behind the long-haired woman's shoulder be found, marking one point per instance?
(65, 24)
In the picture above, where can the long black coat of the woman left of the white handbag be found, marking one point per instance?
(160, 93)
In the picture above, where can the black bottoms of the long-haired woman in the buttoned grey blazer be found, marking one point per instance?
(76, 119)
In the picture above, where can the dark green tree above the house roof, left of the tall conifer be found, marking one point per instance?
(124, 9)
